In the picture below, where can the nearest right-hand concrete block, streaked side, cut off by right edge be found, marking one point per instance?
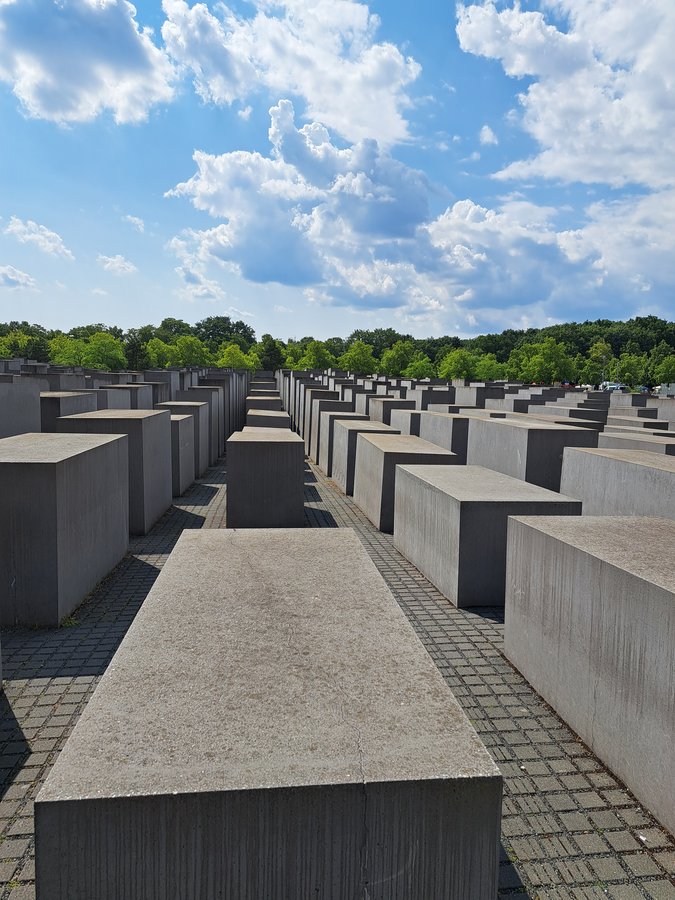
(590, 622)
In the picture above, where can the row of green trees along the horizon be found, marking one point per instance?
(640, 351)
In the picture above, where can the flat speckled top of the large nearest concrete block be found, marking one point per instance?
(293, 680)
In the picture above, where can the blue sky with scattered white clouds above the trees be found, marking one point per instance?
(317, 166)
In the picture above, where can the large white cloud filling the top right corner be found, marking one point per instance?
(599, 104)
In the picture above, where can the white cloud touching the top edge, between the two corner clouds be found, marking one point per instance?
(323, 51)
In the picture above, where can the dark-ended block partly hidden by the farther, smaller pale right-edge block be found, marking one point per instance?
(530, 451)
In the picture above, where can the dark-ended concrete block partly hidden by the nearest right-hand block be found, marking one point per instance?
(450, 522)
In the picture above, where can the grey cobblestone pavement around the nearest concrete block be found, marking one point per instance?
(570, 829)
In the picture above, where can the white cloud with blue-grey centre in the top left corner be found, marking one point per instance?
(69, 61)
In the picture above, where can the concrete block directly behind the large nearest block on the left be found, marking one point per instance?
(149, 445)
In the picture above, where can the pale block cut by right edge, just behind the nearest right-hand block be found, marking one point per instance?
(620, 482)
